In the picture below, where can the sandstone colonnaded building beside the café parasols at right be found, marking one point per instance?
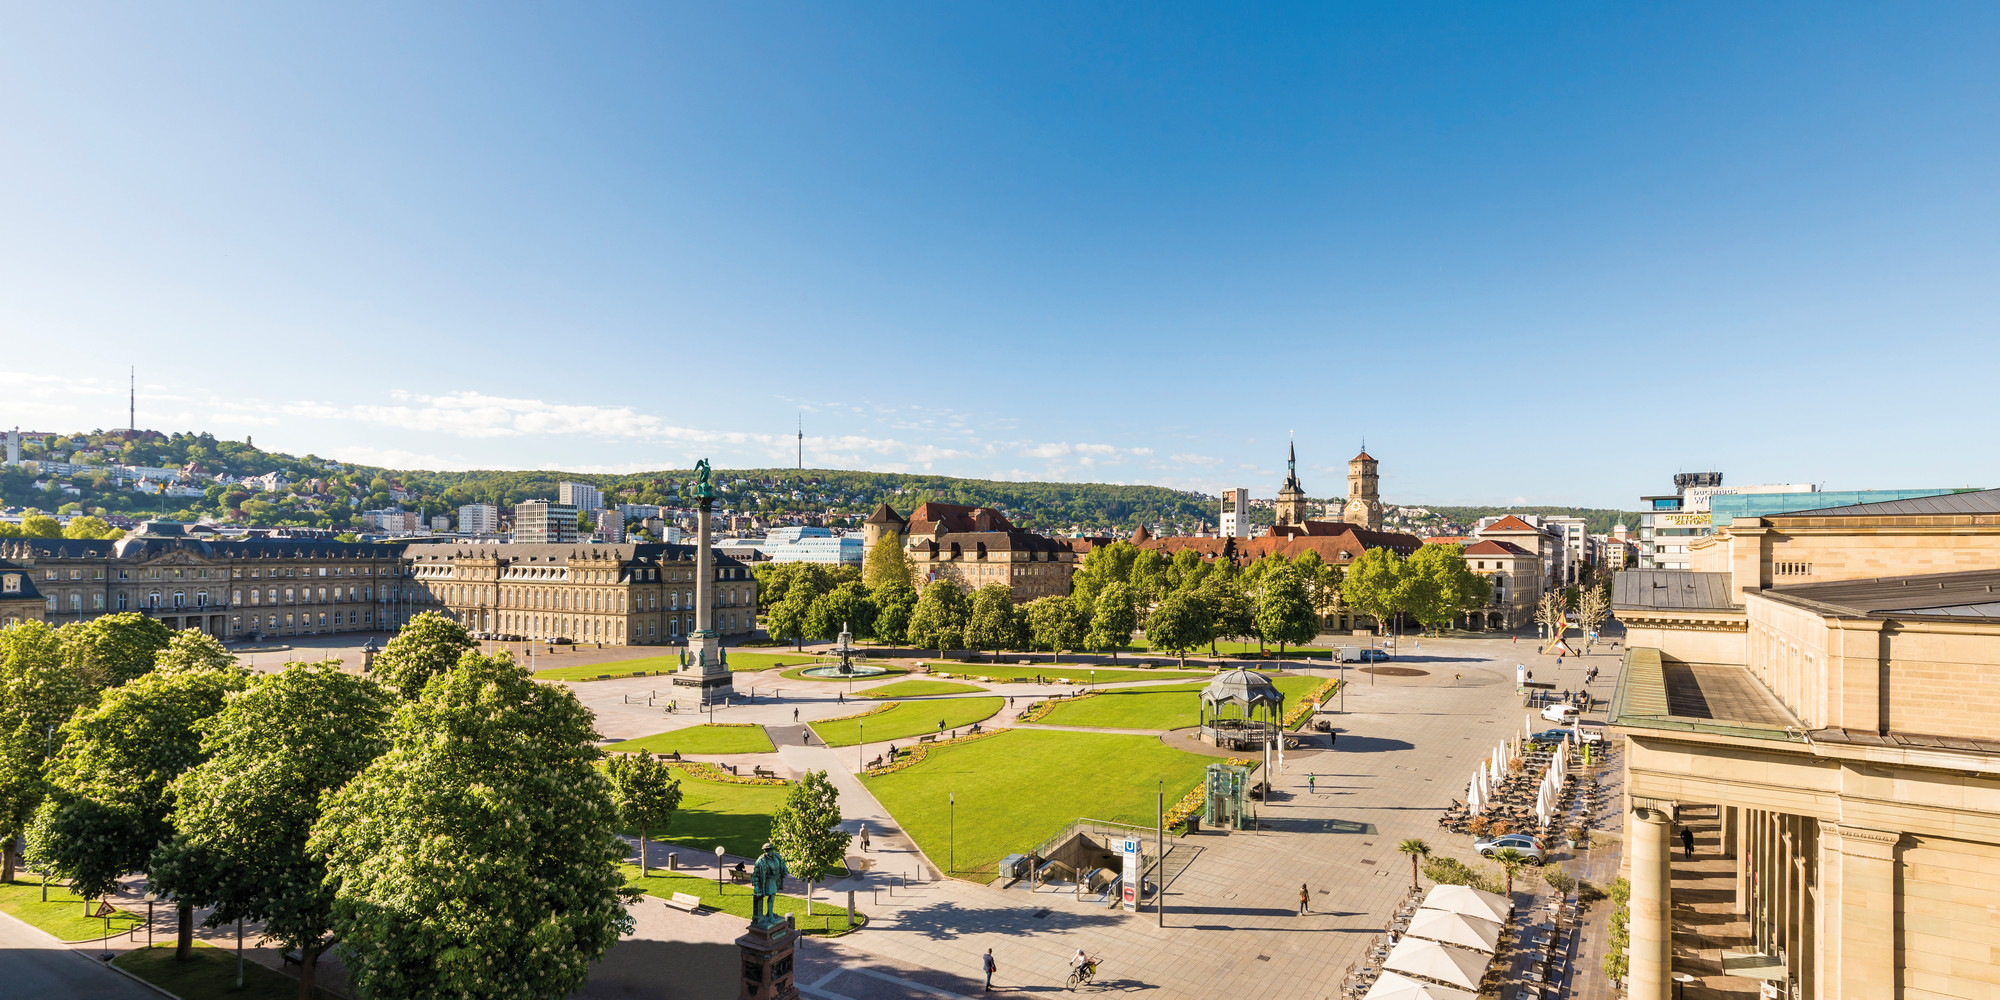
(1819, 693)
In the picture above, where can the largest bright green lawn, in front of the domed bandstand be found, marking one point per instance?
(1023, 787)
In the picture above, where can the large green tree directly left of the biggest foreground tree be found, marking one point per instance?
(243, 817)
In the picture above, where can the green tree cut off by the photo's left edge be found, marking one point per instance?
(39, 693)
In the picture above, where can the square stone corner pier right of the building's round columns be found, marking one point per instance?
(1865, 943)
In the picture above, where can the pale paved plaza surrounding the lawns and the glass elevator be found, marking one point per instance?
(1405, 751)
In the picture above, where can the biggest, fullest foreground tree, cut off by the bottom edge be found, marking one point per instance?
(479, 857)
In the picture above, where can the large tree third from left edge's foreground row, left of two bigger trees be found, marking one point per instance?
(109, 799)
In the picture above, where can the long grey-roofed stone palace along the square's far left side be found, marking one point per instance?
(279, 587)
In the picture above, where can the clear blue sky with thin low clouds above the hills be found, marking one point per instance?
(1539, 257)
